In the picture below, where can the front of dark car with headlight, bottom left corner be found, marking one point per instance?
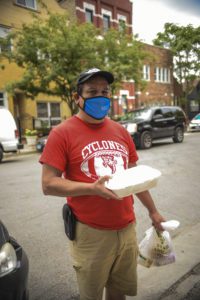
(14, 268)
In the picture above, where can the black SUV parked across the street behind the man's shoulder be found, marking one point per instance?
(148, 124)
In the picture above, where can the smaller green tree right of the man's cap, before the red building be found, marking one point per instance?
(123, 56)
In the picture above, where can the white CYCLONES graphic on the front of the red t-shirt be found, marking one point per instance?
(102, 158)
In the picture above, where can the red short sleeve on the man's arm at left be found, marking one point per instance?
(55, 151)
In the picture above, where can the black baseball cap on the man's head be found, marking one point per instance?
(84, 76)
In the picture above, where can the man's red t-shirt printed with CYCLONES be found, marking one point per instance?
(84, 152)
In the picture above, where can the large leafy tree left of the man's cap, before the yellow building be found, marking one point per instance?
(51, 53)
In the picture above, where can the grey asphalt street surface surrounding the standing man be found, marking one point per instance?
(35, 221)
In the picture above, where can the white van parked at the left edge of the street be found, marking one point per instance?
(9, 135)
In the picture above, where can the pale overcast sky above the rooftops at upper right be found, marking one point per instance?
(149, 16)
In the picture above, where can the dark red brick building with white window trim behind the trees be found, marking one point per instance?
(111, 14)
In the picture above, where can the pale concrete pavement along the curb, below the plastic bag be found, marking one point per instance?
(180, 280)
